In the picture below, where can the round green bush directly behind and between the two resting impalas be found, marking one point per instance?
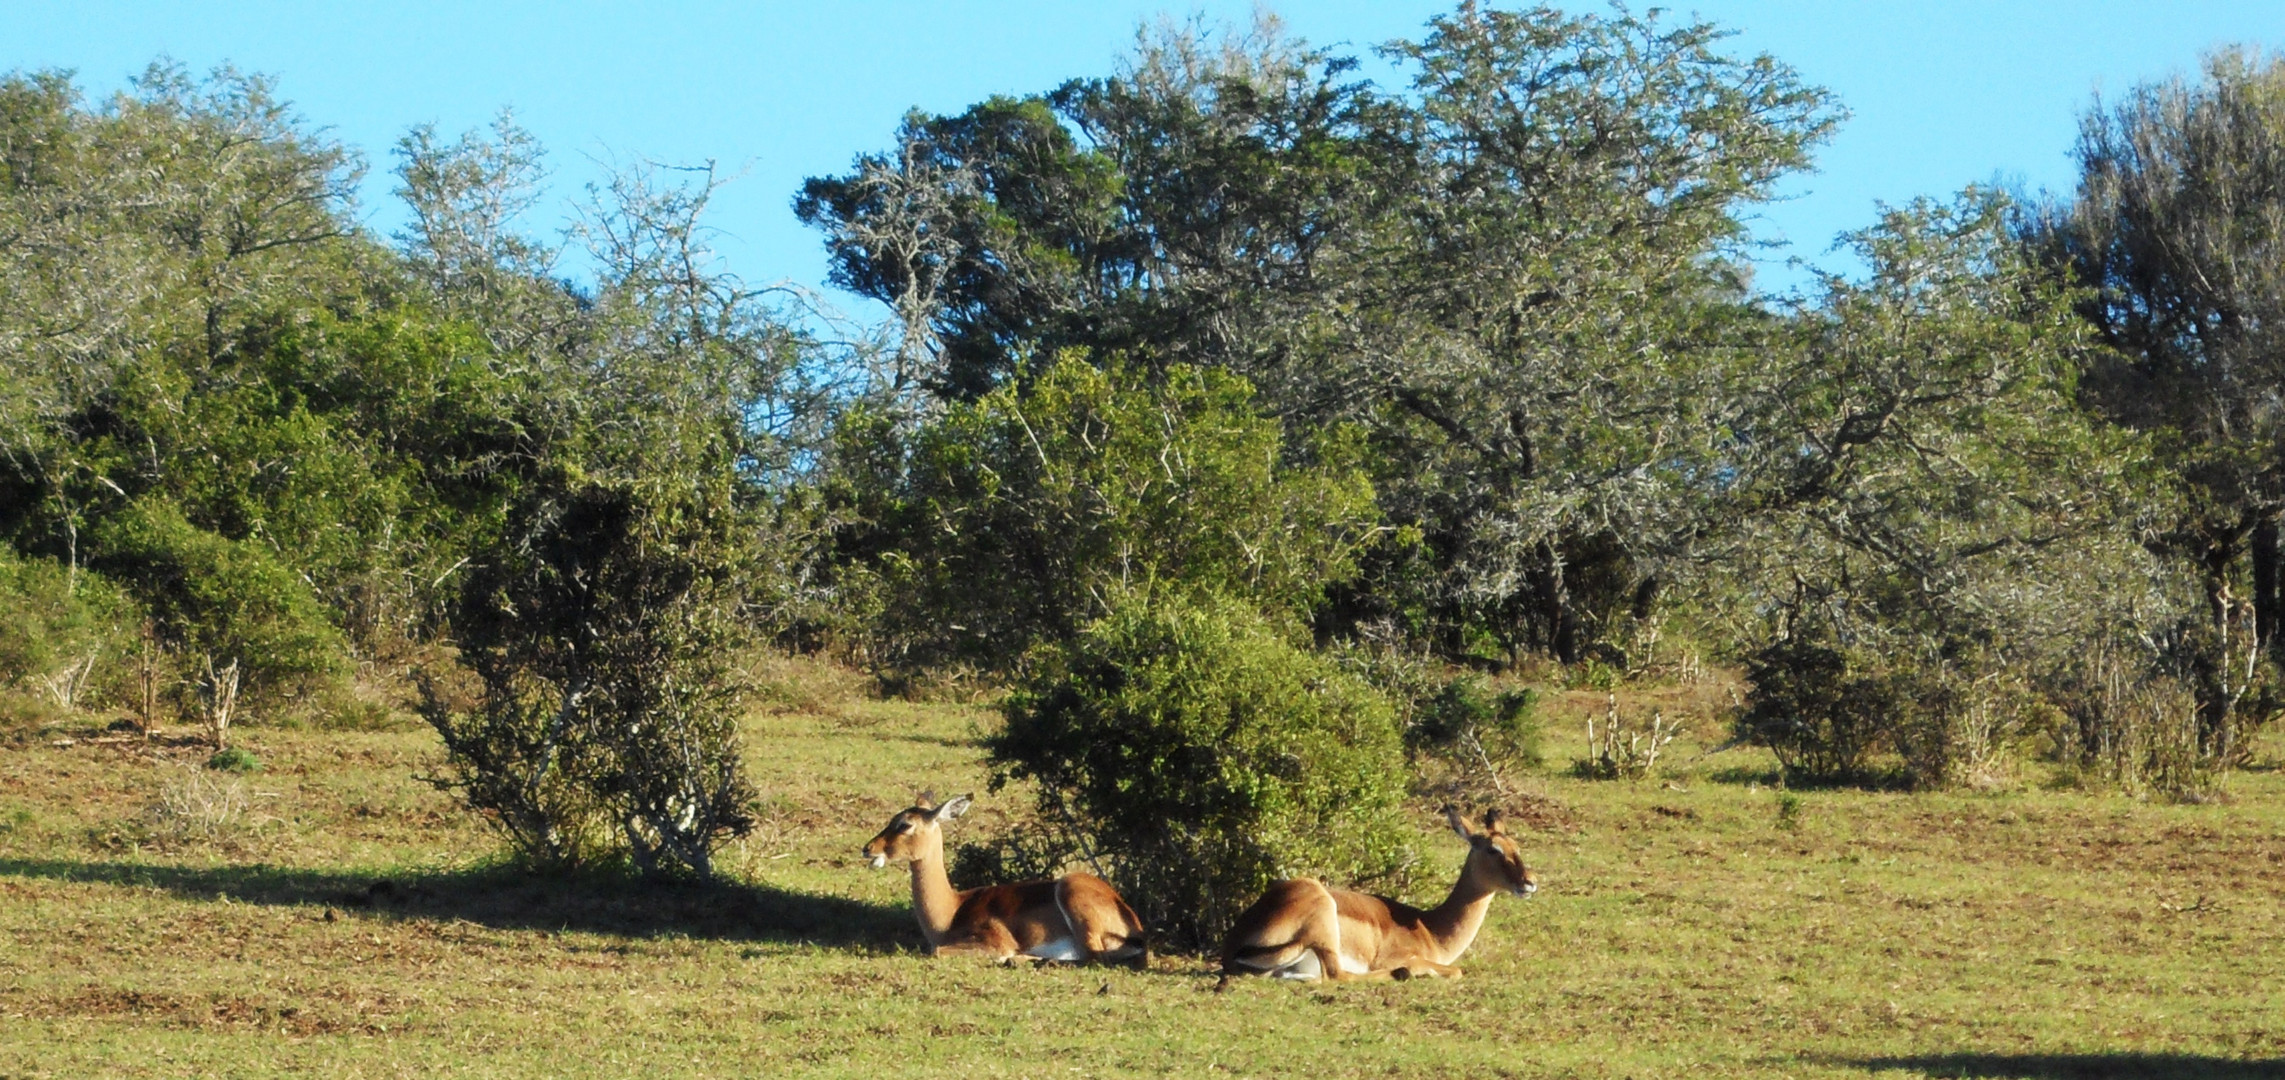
(1198, 757)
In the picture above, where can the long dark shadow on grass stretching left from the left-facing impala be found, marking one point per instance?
(508, 898)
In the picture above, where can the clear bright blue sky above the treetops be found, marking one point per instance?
(1943, 92)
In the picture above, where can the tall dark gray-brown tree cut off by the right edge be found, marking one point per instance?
(2176, 234)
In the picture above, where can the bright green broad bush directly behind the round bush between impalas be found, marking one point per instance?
(1013, 519)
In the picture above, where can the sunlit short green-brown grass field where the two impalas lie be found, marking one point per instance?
(353, 924)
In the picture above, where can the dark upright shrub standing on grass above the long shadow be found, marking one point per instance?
(602, 636)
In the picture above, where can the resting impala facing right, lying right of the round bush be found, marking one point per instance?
(1306, 930)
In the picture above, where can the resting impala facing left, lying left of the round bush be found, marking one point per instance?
(1071, 919)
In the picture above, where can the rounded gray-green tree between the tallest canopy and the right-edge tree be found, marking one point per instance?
(1930, 526)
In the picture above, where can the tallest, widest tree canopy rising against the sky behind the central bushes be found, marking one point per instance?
(1516, 271)
